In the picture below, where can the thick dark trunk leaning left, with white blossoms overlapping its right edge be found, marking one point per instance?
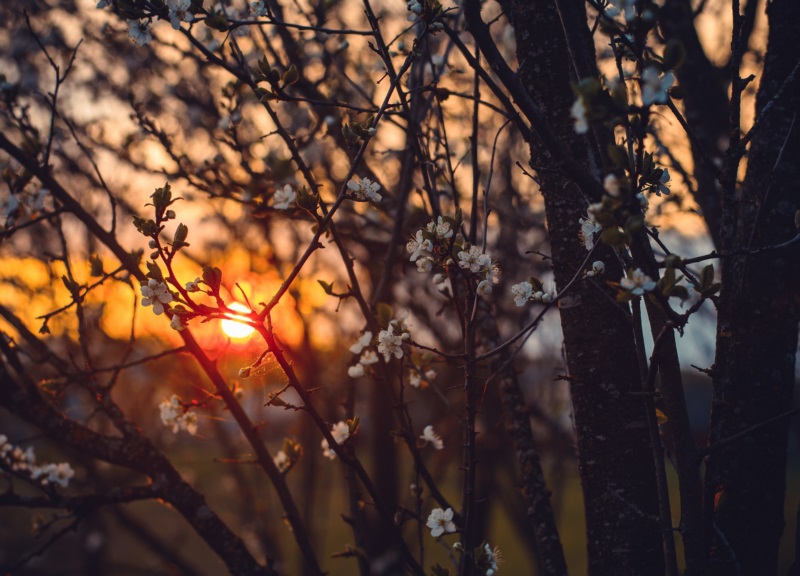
(615, 459)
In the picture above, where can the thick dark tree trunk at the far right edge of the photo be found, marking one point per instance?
(758, 320)
